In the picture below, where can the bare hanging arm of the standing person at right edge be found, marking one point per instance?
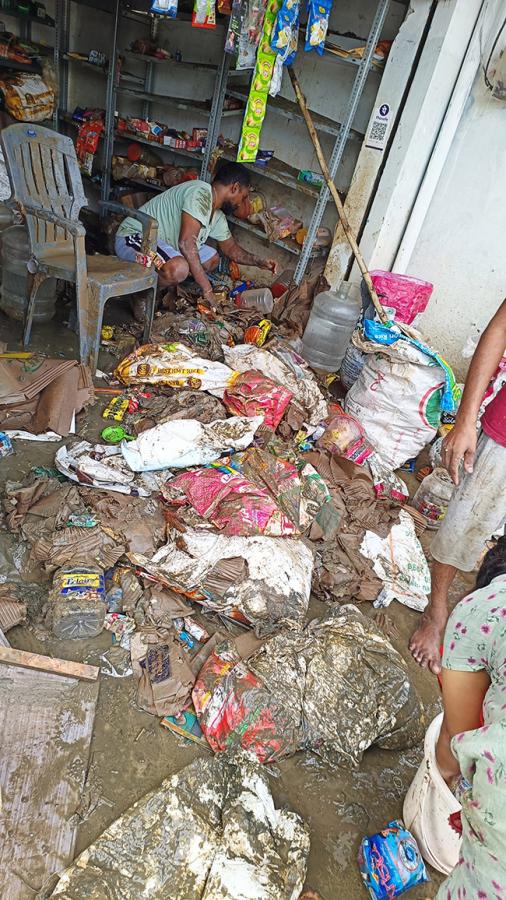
(460, 443)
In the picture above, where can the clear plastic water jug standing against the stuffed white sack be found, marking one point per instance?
(330, 326)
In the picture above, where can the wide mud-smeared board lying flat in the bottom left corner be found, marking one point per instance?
(46, 724)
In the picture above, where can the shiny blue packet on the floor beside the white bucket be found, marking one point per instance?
(390, 862)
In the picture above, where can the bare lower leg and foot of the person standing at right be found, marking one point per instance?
(426, 640)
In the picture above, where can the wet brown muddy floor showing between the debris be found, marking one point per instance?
(131, 753)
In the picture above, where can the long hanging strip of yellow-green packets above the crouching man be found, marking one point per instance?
(259, 91)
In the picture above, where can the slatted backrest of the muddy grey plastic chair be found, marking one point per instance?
(44, 171)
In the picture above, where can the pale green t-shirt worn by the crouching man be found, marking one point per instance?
(193, 197)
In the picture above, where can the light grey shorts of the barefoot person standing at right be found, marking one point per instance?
(476, 511)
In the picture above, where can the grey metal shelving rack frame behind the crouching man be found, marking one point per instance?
(277, 170)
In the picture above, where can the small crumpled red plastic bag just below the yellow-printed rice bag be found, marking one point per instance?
(253, 394)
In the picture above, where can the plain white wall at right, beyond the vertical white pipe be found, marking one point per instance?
(461, 245)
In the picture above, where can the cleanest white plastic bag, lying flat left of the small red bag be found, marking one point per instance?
(187, 442)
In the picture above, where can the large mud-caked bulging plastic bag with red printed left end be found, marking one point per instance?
(334, 687)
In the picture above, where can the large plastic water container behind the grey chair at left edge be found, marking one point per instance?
(14, 293)
